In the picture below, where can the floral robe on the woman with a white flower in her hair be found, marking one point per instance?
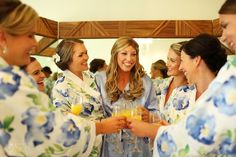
(69, 86)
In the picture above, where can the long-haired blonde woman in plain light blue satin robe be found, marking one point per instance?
(125, 79)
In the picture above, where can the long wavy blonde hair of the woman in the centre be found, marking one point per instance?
(137, 72)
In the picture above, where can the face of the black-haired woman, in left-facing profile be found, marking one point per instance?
(188, 67)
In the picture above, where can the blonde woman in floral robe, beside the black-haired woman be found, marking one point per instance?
(175, 97)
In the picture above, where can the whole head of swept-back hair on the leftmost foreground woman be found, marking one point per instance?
(16, 18)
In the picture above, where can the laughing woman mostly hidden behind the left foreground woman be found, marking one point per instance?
(34, 69)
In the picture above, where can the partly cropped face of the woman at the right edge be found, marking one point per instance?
(228, 24)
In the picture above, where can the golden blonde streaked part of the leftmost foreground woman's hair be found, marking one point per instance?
(20, 20)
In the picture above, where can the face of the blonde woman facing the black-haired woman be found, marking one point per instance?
(173, 62)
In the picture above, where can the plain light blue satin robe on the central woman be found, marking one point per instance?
(148, 100)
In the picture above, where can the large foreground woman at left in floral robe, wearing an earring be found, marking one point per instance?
(29, 125)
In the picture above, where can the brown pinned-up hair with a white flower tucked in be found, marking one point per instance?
(65, 51)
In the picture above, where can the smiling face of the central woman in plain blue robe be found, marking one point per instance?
(126, 59)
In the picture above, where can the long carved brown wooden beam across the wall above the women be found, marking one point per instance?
(115, 29)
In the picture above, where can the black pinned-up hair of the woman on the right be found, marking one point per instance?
(210, 50)
